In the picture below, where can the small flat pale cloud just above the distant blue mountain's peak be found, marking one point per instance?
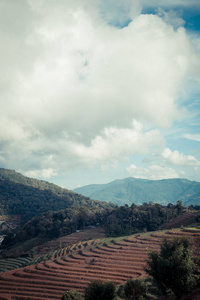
(154, 172)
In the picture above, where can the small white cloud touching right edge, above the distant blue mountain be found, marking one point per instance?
(177, 158)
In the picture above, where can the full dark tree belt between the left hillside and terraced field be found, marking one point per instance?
(117, 221)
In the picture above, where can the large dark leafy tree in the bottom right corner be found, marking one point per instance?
(174, 268)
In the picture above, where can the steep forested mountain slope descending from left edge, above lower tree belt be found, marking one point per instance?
(28, 197)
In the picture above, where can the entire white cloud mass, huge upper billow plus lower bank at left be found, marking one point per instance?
(71, 84)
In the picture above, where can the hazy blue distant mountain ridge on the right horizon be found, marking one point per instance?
(132, 190)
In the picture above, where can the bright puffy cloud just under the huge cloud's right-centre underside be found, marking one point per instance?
(116, 143)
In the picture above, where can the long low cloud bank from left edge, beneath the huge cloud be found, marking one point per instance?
(61, 155)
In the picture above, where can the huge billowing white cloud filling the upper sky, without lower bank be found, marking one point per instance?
(99, 75)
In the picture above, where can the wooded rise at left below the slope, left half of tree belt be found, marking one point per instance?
(55, 224)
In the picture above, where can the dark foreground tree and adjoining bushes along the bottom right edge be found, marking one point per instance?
(173, 270)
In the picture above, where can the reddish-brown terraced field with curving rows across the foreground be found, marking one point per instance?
(75, 266)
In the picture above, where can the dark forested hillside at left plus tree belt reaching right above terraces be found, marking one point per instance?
(48, 211)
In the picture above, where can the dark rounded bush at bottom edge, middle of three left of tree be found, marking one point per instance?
(99, 290)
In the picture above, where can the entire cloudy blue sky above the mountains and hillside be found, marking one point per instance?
(97, 90)
